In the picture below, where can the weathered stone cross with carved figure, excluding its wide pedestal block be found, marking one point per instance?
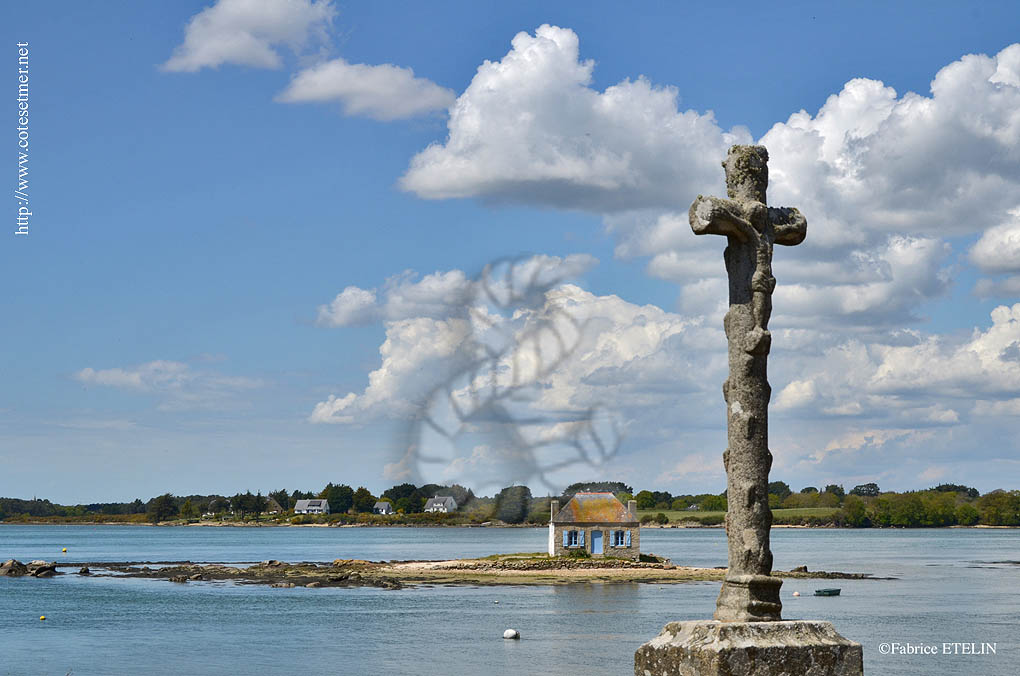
(749, 592)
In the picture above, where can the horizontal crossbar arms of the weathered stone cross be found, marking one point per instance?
(713, 216)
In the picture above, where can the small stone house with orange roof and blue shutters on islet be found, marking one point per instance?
(597, 524)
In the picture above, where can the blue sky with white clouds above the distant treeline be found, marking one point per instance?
(259, 244)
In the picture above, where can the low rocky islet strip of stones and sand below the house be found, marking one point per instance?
(497, 570)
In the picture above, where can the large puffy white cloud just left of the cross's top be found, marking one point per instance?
(530, 129)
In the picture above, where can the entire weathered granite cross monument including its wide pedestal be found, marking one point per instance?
(748, 637)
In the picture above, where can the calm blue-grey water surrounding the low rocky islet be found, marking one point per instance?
(953, 587)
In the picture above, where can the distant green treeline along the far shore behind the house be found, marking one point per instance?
(863, 506)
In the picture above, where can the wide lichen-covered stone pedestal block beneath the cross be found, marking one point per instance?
(708, 648)
